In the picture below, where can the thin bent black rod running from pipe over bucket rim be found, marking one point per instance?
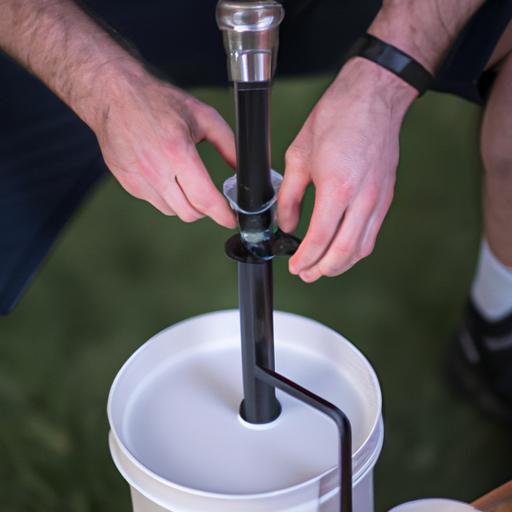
(293, 389)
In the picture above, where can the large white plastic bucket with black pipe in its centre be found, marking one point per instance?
(177, 438)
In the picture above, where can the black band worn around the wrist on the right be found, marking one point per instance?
(391, 58)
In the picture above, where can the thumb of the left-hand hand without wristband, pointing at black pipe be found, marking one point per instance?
(214, 128)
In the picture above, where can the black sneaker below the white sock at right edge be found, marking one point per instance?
(480, 363)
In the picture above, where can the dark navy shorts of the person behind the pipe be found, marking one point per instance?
(50, 160)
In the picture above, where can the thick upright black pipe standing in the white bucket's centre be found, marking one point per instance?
(254, 190)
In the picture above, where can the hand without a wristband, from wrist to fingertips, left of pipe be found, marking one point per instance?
(147, 131)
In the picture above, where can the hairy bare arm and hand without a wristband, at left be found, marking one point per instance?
(147, 129)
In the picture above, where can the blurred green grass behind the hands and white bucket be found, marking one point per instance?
(121, 272)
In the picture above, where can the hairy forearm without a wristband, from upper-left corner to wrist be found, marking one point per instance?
(56, 41)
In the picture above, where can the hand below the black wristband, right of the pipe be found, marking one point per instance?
(348, 148)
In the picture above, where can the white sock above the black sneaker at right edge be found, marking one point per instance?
(492, 286)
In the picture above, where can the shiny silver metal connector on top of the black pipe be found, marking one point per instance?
(251, 37)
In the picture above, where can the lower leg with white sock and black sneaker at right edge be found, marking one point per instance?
(481, 360)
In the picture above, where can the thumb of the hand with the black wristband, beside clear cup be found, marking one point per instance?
(290, 198)
